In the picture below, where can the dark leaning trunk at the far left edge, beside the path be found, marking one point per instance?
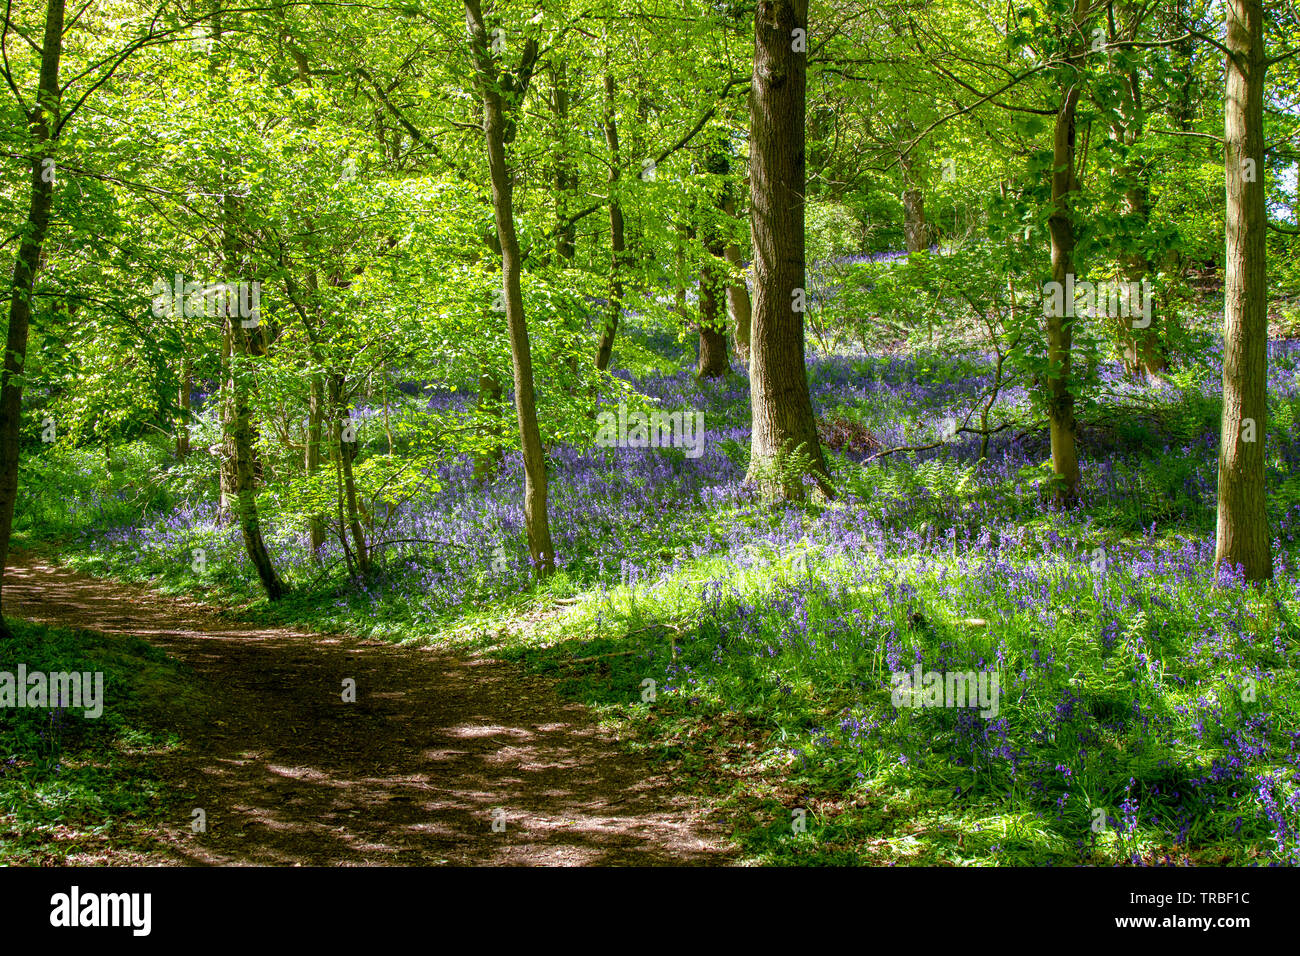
(42, 124)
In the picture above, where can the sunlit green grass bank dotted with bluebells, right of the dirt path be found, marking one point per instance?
(1143, 691)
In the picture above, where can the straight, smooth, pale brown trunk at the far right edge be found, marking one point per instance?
(1243, 522)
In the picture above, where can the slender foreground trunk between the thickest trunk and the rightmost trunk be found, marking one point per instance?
(1060, 328)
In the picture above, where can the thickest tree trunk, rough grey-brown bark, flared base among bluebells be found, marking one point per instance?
(783, 419)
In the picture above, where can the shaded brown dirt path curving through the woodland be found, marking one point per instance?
(411, 773)
